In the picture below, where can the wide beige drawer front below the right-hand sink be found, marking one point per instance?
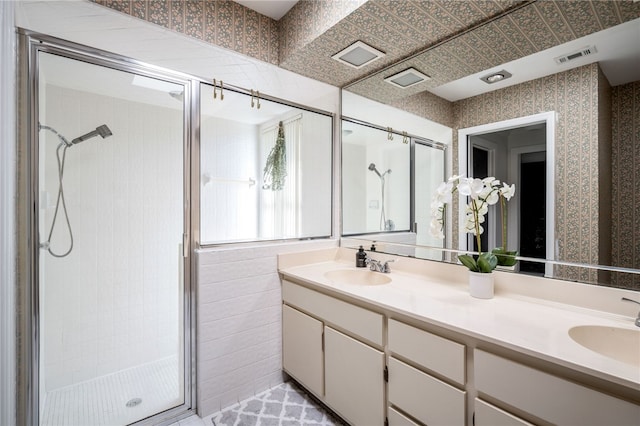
(547, 396)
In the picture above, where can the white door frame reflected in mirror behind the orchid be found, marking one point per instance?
(549, 118)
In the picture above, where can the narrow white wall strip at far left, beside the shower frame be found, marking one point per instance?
(7, 218)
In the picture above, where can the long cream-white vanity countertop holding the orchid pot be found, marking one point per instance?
(529, 325)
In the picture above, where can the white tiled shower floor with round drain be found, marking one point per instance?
(103, 401)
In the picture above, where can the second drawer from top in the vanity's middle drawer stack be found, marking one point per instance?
(427, 399)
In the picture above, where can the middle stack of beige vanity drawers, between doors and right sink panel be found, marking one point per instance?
(415, 389)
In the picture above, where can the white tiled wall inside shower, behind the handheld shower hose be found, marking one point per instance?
(115, 301)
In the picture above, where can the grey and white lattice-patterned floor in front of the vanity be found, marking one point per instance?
(284, 405)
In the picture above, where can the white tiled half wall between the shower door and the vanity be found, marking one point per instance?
(239, 322)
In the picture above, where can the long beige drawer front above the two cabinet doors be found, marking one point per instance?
(354, 319)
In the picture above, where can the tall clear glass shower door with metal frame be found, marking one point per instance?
(111, 225)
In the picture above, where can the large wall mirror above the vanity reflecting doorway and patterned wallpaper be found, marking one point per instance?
(578, 147)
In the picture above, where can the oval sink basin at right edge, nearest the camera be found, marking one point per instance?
(620, 344)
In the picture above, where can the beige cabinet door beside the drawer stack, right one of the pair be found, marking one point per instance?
(354, 379)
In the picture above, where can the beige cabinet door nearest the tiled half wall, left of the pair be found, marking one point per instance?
(302, 348)
